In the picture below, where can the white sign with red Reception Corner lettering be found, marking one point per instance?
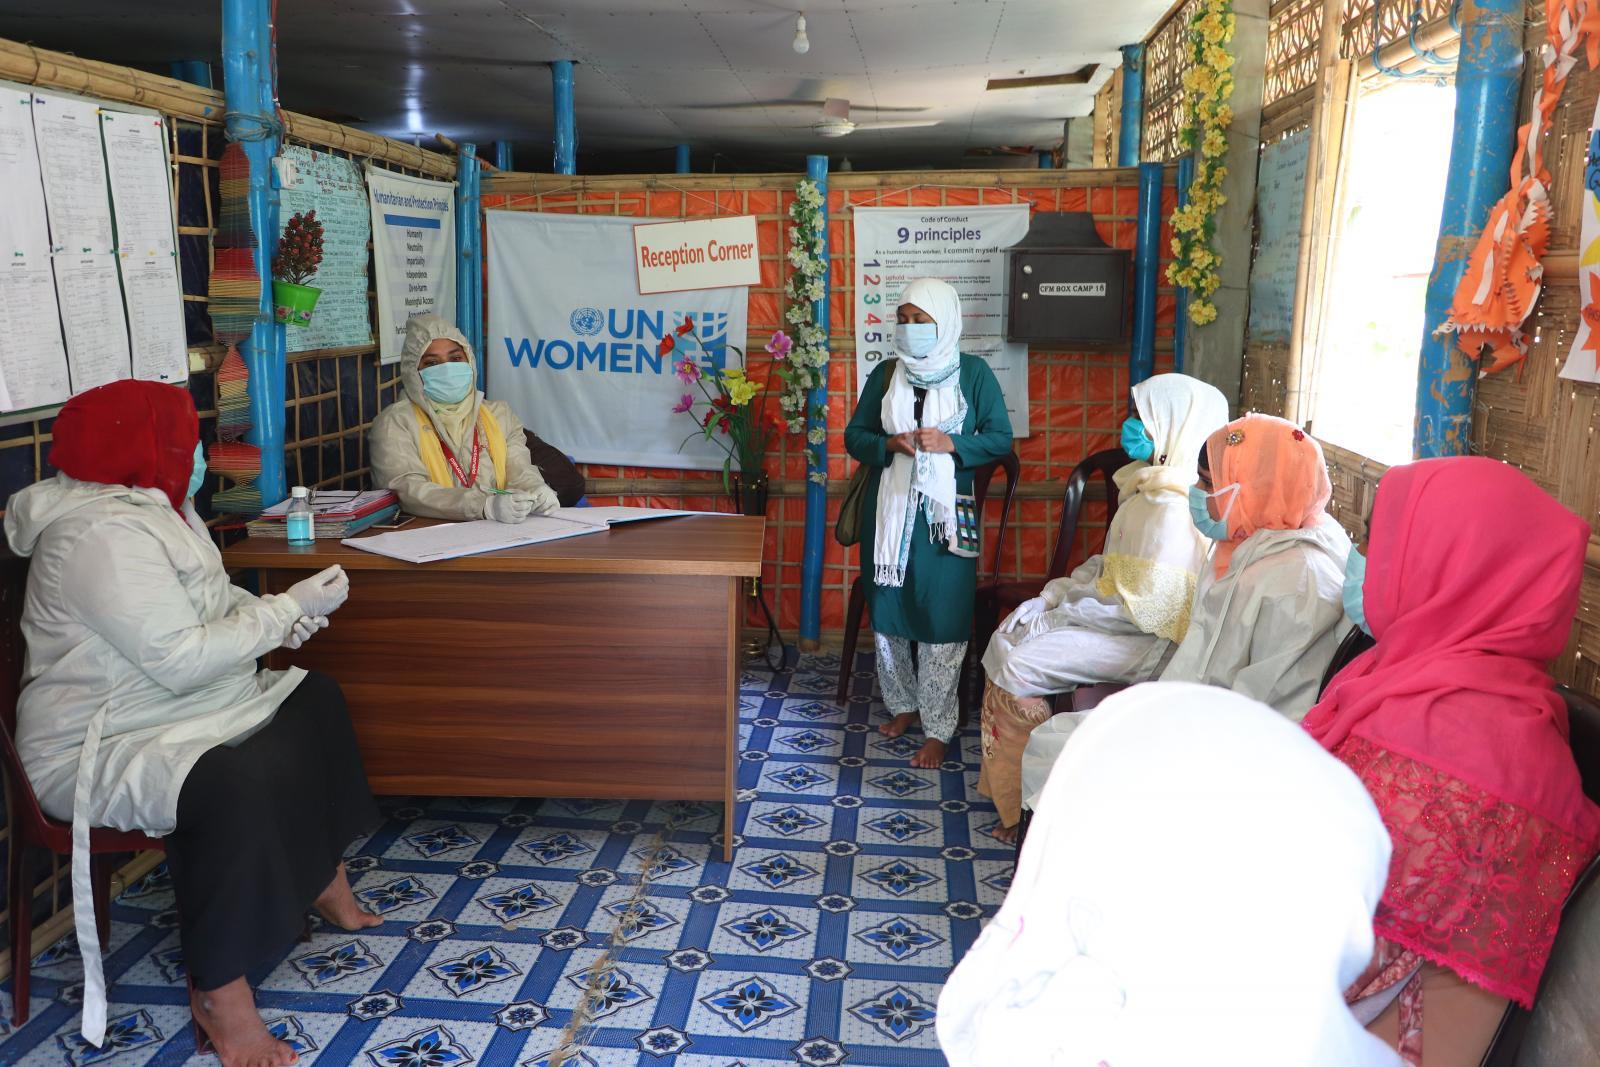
(697, 255)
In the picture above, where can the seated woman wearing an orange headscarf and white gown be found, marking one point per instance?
(1268, 613)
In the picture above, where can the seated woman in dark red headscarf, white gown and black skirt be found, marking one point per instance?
(143, 708)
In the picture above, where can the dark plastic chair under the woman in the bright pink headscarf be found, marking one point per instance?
(1567, 994)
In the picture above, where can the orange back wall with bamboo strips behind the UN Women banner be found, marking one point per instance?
(1078, 399)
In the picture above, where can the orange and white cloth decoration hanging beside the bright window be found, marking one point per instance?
(1506, 270)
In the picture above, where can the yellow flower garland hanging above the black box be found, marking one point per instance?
(1209, 86)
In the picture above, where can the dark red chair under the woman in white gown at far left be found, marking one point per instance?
(31, 828)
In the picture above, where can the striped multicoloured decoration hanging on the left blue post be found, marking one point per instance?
(234, 302)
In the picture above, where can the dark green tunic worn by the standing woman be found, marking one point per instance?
(935, 605)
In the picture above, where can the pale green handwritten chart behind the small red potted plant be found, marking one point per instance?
(332, 186)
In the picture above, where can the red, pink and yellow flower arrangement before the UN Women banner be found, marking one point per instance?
(732, 410)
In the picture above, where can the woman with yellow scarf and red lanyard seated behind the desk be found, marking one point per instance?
(450, 454)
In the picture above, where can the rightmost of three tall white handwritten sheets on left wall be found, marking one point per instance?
(146, 244)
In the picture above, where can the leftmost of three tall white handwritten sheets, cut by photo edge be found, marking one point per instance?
(33, 356)
